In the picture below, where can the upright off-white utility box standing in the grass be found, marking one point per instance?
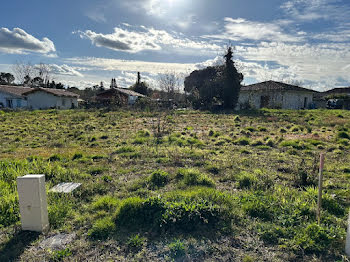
(33, 203)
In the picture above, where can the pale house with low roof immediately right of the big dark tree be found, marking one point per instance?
(272, 94)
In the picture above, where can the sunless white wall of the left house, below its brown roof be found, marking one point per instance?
(43, 100)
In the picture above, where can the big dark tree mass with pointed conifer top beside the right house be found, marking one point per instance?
(215, 85)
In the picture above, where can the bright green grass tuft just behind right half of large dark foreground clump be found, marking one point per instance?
(193, 177)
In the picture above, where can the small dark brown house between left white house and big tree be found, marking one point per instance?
(119, 96)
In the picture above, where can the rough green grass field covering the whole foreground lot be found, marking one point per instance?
(179, 186)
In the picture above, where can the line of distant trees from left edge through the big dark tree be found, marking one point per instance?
(209, 88)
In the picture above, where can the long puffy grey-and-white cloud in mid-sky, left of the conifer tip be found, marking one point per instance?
(149, 39)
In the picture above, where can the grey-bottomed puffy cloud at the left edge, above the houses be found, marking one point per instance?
(18, 41)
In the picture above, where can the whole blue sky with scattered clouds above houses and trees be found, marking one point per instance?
(86, 42)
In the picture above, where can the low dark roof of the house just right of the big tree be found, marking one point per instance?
(275, 86)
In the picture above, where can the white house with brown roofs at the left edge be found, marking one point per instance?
(37, 98)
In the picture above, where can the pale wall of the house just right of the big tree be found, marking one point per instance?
(277, 99)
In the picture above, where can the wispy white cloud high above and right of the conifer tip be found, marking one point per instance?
(242, 29)
